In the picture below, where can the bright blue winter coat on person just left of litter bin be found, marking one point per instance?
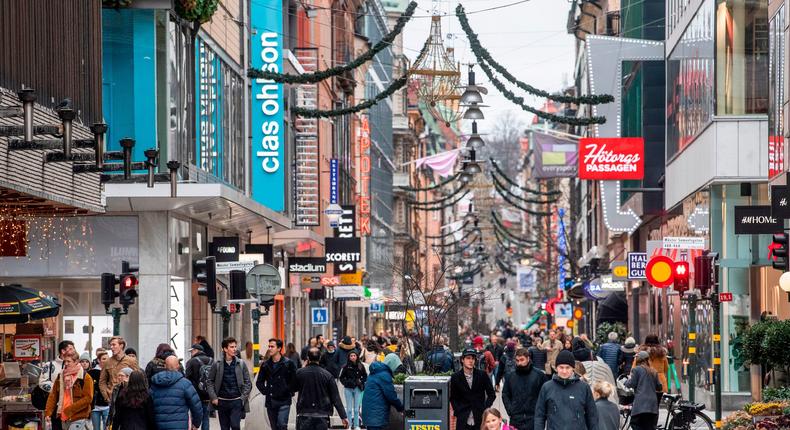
(379, 396)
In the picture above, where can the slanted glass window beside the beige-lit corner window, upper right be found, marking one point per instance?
(690, 73)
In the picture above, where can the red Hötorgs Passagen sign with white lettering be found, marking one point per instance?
(611, 158)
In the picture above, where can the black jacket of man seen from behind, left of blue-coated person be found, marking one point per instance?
(317, 392)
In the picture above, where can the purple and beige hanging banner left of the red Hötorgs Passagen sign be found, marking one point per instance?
(554, 157)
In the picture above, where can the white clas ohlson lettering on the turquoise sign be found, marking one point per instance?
(269, 104)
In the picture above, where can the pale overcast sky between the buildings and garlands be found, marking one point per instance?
(529, 38)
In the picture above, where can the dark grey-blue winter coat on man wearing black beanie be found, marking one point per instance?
(565, 404)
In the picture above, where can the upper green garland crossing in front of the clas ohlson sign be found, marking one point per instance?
(318, 76)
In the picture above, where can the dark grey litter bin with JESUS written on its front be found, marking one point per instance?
(426, 403)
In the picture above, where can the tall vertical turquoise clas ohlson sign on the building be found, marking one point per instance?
(268, 147)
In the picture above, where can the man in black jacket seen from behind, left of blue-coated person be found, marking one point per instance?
(317, 395)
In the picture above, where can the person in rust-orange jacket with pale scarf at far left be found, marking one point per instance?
(71, 395)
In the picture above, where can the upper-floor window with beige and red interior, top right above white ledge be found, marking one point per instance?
(741, 57)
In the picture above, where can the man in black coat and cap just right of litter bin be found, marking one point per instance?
(471, 393)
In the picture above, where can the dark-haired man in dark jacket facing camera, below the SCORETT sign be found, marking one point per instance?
(275, 378)
